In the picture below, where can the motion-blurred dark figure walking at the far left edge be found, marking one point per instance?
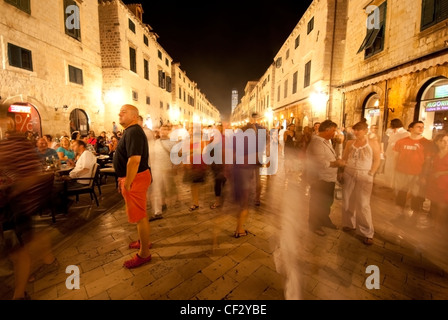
(24, 192)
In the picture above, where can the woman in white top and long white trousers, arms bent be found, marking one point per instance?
(362, 157)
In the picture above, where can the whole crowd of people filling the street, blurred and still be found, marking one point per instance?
(414, 167)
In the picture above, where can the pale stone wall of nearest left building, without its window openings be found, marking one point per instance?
(47, 87)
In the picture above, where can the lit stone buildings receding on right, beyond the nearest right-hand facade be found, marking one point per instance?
(302, 81)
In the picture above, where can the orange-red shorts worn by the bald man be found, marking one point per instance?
(135, 198)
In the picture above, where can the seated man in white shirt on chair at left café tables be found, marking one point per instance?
(83, 167)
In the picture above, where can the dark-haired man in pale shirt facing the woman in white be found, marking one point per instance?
(322, 169)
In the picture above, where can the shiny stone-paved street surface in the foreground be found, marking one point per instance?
(196, 257)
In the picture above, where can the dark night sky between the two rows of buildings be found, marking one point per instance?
(223, 44)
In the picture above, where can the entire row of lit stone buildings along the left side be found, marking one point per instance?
(69, 65)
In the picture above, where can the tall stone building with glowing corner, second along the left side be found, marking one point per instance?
(136, 69)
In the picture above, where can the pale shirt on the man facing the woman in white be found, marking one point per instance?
(319, 154)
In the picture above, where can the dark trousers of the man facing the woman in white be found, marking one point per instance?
(321, 200)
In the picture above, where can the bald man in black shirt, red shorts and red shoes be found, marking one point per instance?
(134, 178)
